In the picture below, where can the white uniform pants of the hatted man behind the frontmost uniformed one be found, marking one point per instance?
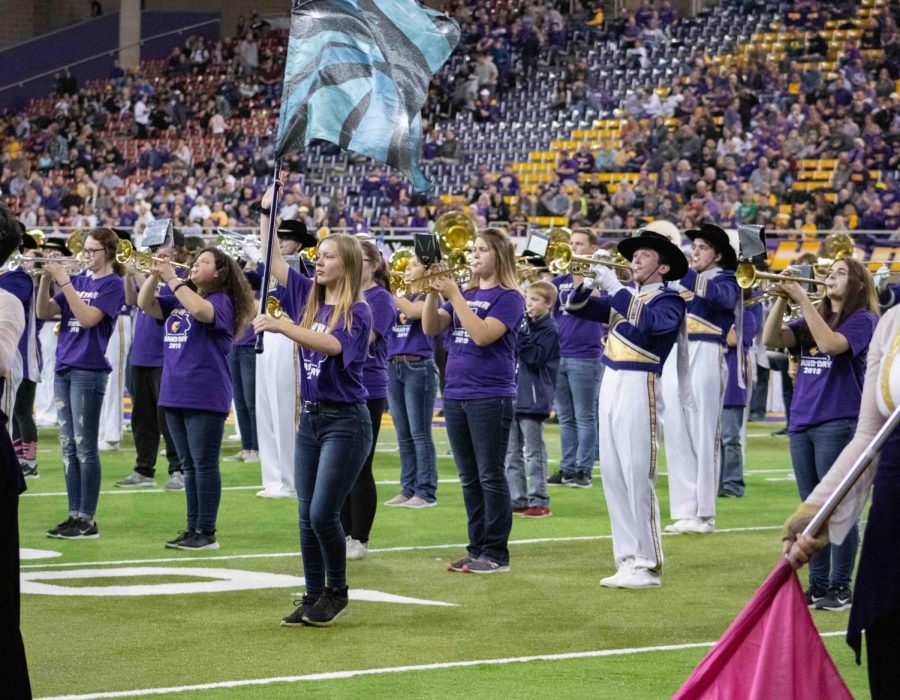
(692, 436)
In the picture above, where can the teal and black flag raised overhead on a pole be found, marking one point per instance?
(357, 75)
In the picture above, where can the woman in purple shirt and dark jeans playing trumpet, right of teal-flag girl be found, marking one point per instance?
(480, 388)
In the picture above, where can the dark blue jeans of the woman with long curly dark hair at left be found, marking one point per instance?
(198, 438)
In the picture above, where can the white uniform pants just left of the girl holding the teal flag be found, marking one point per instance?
(277, 415)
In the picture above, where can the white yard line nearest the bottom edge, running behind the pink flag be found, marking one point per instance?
(338, 675)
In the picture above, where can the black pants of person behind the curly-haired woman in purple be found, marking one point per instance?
(148, 421)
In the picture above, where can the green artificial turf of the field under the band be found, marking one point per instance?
(550, 603)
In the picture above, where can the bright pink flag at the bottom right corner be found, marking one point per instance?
(771, 650)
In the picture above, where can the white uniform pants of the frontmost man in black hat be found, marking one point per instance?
(629, 406)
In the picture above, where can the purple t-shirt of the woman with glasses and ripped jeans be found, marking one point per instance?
(85, 348)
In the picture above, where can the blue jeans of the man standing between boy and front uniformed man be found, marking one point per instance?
(577, 392)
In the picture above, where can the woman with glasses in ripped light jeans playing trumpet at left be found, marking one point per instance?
(88, 305)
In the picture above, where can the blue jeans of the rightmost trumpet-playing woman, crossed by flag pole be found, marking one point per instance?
(813, 451)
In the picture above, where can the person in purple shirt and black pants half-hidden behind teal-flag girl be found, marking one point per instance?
(358, 512)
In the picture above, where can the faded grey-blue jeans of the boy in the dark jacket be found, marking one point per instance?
(527, 456)
